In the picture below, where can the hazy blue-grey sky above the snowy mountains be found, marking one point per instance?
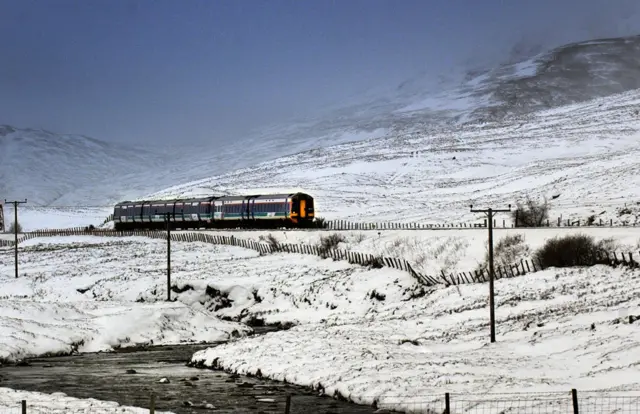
(155, 71)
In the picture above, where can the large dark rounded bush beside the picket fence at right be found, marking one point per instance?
(572, 250)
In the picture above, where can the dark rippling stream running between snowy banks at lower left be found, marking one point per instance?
(103, 376)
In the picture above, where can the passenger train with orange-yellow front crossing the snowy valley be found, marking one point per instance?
(294, 210)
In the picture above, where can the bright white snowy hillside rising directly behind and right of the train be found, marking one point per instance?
(583, 157)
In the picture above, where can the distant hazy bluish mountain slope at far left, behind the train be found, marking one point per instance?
(43, 166)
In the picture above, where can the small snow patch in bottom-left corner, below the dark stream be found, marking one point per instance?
(40, 403)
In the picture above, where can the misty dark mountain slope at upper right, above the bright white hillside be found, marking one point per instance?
(566, 74)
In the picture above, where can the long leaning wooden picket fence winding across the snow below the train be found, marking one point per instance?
(363, 259)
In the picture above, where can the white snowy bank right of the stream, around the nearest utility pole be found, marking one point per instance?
(556, 330)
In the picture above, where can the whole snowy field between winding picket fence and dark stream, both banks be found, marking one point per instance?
(365, 334)
